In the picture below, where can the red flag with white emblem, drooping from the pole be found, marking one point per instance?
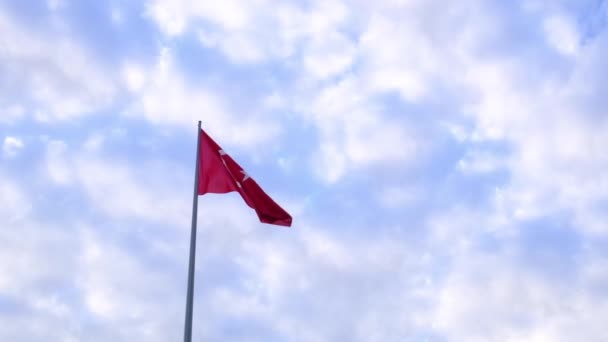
(219, 174)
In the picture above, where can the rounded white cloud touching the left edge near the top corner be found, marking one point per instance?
(49, 74)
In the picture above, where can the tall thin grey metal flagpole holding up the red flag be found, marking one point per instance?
(190, 293)
